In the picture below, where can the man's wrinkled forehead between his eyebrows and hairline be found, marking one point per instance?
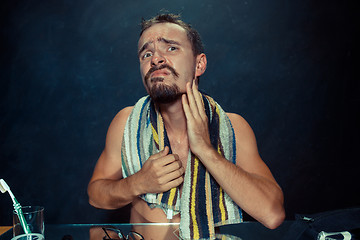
(169, 31)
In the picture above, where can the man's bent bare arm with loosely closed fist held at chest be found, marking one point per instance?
(107, 189)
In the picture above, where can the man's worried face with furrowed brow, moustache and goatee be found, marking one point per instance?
(167, 61)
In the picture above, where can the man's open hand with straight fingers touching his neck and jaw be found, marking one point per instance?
(197, 121)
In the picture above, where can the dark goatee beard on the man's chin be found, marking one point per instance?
(162, 94)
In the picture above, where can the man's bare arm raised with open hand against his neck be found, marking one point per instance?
(249, 183)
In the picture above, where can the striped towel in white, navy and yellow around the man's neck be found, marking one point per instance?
(203, 204)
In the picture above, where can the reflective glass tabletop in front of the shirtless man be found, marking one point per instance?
(244, 231)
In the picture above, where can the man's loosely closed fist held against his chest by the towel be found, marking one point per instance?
(160, 173)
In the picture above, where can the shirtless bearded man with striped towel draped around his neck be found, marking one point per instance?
(191, 140)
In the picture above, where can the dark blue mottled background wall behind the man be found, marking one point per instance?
(67, 67)
